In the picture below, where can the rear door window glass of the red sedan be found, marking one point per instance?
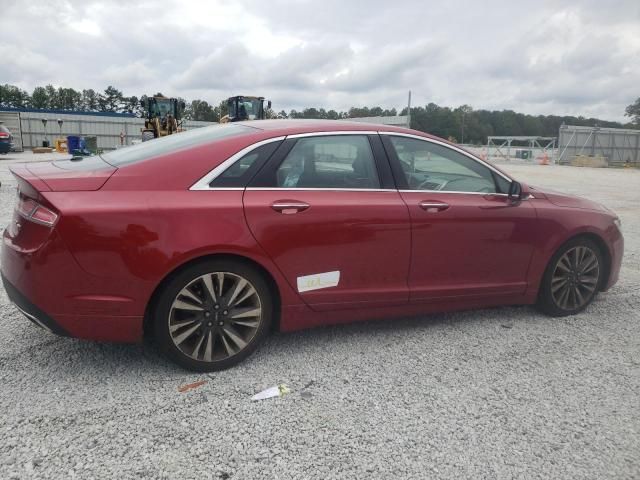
(333, 161)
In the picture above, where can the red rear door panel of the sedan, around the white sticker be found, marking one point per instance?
(363, 235)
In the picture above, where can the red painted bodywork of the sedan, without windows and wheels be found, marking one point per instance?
(122, 231)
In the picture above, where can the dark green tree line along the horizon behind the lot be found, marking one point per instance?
(462, 124)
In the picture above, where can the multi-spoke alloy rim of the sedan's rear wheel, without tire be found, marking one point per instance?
(215, 316)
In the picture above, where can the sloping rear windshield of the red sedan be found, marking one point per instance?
(172, 143)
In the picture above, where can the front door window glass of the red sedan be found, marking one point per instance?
(429, 166)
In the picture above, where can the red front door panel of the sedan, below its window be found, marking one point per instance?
(479, 245)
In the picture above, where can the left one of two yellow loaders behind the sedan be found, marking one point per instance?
(162, 116)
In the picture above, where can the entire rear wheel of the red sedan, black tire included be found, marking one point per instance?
(224, 337)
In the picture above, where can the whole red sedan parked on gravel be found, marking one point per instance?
(207, 239)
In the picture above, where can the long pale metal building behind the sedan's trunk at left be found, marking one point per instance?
(109, 128)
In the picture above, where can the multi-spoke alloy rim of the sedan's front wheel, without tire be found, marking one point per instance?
(575, 278)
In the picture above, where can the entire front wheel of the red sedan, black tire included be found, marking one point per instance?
(553, 286)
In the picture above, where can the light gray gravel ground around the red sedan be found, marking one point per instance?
(499, 393)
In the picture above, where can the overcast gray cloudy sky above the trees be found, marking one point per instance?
(579, 57)
